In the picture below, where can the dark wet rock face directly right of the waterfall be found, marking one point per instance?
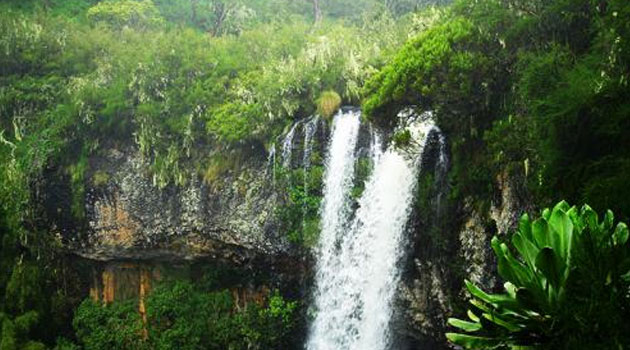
(450, 243)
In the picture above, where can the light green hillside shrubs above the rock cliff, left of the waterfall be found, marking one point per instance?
(159, 86)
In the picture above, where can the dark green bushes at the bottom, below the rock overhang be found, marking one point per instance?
(183, 316)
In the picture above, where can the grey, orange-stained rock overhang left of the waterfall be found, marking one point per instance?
(130, 218)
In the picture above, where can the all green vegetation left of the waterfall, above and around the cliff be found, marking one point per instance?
(184, 82)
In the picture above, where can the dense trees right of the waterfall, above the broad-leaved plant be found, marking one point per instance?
(535, 87)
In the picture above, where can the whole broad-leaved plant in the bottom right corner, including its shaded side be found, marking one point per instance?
(565, 288)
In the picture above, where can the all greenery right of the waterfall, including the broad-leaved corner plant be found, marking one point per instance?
(537, 90)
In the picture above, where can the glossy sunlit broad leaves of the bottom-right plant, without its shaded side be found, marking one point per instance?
(538, 274)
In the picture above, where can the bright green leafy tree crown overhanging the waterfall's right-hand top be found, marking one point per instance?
(441, 63)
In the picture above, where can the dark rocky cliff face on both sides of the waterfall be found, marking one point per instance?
(131, 228)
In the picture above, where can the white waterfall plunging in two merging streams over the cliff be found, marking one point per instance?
(358, 261)
